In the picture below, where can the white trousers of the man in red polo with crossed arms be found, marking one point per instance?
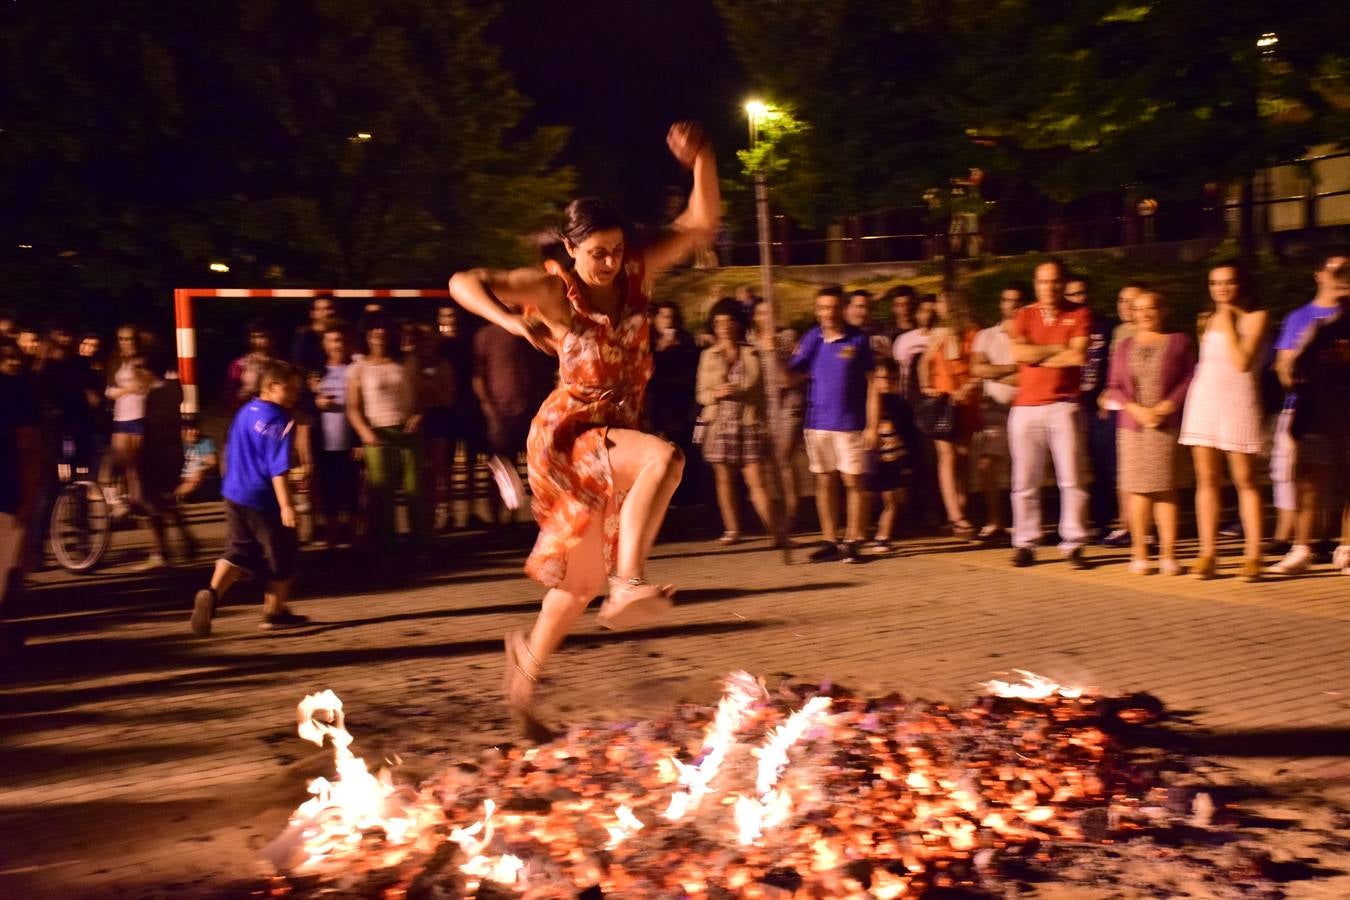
(1032, 432)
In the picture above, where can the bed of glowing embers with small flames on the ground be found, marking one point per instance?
(799, 790)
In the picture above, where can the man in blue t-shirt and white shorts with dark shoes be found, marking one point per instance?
(838, 361)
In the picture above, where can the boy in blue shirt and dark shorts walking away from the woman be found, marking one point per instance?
(260, 517)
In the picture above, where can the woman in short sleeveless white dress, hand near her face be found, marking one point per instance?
(1222, 418)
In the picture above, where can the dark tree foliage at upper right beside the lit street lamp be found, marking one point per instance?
(1070, 98)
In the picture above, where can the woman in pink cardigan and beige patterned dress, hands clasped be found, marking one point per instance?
(1151, 373)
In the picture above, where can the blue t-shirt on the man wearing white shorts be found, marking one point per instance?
(836, 400)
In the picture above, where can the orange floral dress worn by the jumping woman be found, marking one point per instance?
(603, 376)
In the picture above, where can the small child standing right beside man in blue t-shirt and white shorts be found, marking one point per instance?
(890, 470)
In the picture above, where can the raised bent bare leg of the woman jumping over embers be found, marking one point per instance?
(649, 469)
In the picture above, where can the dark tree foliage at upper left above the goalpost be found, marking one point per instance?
(144, 141)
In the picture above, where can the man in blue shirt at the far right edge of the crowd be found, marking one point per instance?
(1285, 466)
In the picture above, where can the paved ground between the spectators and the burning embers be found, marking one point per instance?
(141, 762)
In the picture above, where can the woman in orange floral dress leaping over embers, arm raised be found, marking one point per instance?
(600, 485)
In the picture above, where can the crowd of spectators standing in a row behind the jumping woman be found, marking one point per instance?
(912, 418)
